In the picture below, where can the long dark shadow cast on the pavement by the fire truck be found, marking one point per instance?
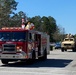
(59, 63)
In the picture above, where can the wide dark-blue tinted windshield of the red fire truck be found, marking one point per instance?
(12, 36)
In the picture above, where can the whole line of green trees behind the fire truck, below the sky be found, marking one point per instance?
(44, 24)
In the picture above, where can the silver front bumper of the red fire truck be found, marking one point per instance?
(13, 56)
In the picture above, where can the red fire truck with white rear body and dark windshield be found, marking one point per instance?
(17, 44)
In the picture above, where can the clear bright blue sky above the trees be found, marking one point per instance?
(63, 11)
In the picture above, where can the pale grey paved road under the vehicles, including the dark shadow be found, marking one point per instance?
(58, 63)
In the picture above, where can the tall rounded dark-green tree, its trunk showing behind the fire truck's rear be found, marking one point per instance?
(49, 26)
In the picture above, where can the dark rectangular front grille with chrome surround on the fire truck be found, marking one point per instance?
(9, 47)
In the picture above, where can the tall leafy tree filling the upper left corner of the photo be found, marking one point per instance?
(6, 9)
